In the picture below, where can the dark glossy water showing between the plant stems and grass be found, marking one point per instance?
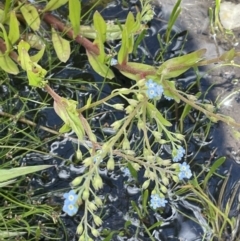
(77, 80)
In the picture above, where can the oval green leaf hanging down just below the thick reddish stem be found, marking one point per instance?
(61, 46)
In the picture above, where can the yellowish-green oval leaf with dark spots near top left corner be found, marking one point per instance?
(31, 16)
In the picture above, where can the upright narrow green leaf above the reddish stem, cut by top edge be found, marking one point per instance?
(75, 15)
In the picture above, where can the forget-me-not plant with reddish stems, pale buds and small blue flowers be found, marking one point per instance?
(149, 87)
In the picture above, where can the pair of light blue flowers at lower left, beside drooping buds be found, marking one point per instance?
(70, 204)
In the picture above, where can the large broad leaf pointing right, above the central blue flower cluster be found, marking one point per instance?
(176, 66)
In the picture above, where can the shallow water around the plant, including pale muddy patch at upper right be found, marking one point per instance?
(120, 189)
